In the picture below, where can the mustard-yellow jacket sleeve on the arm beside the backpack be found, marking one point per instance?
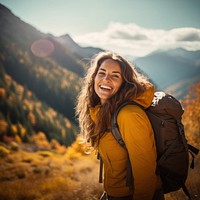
(138, 136)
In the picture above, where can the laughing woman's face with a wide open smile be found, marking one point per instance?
(108, 80)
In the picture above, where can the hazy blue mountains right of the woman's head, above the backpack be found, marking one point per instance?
(173, 71)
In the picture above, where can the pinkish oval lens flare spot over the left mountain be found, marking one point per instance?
(42, 48)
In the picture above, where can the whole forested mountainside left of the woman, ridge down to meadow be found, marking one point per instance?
(53, 79)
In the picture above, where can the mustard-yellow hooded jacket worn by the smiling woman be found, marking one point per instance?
(138, 136)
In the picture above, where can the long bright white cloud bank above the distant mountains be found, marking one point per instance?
(133, 40)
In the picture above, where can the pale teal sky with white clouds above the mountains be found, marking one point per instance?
(128, 27)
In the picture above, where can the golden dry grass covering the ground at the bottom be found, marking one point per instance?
(45, 175)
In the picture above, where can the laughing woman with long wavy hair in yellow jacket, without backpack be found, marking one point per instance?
(111, 80)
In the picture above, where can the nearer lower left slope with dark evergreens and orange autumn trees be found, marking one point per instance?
(23, 116)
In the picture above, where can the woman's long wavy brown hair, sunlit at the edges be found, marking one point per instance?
(134, 84)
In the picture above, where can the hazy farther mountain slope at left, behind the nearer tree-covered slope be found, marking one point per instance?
(56, 76)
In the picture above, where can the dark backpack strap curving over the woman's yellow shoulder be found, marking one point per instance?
(115, 128)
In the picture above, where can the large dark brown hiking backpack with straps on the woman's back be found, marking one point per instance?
(165, 115)
